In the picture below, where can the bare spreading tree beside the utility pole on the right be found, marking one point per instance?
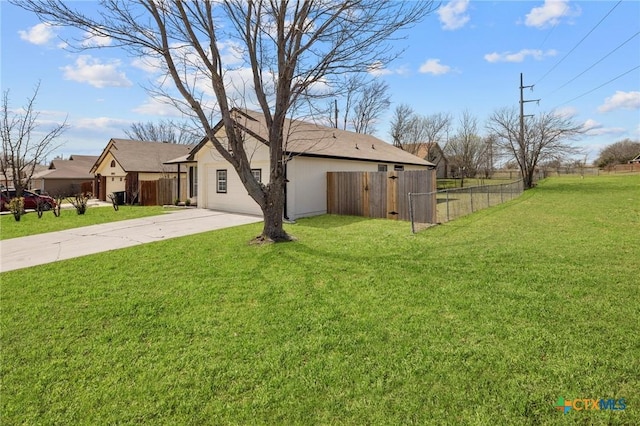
(546, 138)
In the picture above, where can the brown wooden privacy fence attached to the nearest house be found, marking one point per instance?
(381, 194)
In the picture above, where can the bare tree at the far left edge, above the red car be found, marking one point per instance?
(23, 145)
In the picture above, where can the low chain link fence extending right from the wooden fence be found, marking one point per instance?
(456, 202)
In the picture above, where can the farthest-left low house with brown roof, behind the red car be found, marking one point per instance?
(66, 177)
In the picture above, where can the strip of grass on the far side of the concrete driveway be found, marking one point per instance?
(30, 224)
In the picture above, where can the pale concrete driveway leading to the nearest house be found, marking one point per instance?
(24, 252)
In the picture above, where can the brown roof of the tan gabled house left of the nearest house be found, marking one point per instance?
(143, 156)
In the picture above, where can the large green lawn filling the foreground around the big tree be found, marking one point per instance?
(485, 320)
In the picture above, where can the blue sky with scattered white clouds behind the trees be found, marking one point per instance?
(582, 56)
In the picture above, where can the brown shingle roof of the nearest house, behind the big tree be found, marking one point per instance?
(308, 139)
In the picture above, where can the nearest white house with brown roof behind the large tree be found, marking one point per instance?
(312, 151)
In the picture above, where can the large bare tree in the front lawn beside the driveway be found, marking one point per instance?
(288, 48)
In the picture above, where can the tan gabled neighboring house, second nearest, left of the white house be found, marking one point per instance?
(125, 163)
